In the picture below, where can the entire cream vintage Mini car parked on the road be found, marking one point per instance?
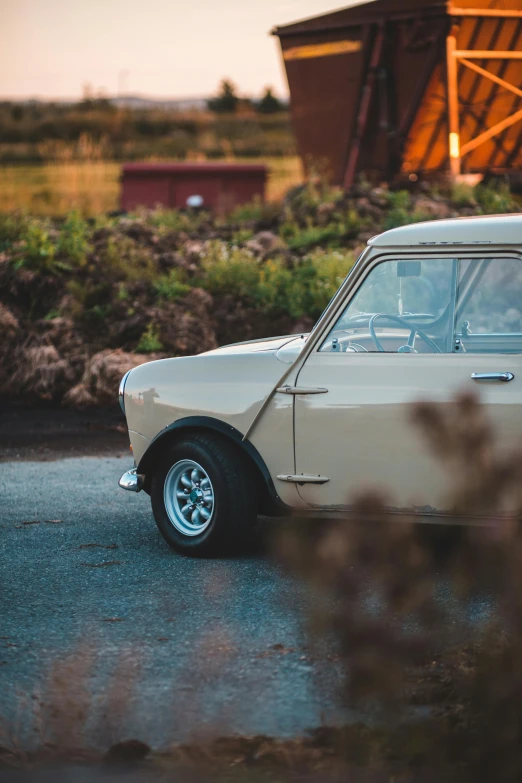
(302, 422)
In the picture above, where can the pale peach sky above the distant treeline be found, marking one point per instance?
(161, 48)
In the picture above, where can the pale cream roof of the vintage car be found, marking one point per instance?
(490, 230)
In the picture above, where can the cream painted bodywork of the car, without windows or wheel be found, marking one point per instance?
(358, 434)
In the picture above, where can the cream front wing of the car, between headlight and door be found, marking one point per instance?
(230, 387)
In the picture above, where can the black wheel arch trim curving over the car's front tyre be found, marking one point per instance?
(270, 502)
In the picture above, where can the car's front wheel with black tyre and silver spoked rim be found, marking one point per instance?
(204, 498)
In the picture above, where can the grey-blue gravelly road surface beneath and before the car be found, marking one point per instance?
(97, 609)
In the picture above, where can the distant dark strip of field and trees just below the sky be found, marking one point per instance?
(37, 132)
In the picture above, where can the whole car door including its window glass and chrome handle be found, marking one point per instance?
(357, 433)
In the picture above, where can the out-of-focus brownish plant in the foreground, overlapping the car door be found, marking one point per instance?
(427, 620)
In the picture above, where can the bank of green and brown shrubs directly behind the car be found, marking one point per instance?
(76, 293)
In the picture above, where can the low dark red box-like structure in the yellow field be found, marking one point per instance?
(219, 186)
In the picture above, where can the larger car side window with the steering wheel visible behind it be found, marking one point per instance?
(402, 306)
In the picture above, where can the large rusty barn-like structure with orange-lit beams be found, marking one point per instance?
(402, 87)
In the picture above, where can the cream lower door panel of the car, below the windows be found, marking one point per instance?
(367, 414)
